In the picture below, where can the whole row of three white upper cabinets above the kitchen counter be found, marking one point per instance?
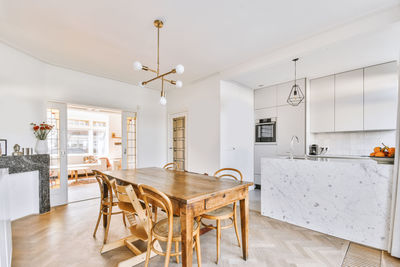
(363, 99)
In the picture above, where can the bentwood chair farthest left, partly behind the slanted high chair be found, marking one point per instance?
(106, 203)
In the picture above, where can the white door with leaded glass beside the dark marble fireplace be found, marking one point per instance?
(57, 141)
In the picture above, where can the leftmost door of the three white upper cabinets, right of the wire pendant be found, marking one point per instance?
(322, 104)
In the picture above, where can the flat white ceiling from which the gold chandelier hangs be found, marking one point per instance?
(104, 37)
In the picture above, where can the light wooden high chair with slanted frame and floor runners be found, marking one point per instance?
(135, 212)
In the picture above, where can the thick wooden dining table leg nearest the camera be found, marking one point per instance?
(186, 214)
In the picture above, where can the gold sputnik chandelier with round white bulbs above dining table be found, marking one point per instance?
(179, 69)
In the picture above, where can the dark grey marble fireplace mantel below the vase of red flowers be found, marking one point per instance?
(41, 163)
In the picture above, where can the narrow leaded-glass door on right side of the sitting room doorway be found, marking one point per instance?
(128, 140)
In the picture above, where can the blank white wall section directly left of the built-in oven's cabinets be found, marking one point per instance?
(237, 128)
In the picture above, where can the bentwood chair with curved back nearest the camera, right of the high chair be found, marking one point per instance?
(168, 229)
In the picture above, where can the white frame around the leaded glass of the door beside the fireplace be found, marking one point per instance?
(60, 196)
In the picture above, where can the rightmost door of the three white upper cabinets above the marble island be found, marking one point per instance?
(380, 96)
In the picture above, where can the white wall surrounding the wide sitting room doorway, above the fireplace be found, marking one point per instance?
(26, 85)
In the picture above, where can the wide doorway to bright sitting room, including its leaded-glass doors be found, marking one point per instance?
(95, 139)
